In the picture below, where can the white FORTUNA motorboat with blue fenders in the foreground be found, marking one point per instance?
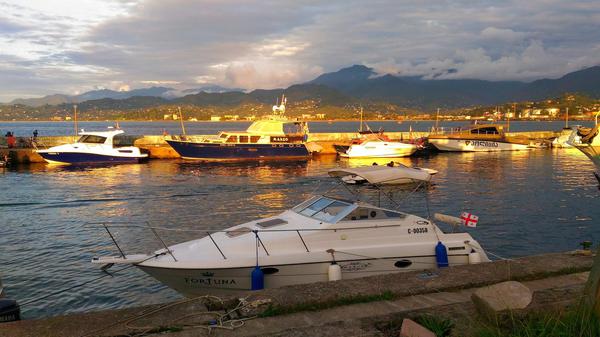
(324, 238)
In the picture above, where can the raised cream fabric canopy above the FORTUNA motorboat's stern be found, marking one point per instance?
(383, 175)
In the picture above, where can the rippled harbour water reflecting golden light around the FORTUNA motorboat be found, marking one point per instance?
(528, 202)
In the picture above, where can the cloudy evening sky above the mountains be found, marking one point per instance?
(72, 46)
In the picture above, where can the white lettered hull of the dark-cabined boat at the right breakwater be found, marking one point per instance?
(466, 145)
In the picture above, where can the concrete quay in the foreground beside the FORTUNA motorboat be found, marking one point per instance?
(348, 307)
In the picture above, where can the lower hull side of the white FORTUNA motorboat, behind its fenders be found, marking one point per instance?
(191, 282)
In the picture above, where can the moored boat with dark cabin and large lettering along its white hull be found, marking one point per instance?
(478, 138)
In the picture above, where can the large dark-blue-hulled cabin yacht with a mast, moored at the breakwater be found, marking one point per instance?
(274, 136)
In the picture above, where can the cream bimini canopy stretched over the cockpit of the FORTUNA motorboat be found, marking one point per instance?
(379, 174)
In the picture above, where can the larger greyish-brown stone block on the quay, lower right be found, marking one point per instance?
(497, 300)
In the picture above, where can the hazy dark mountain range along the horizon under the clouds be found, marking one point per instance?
(349, 85)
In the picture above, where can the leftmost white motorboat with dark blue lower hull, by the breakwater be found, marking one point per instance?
(94, 147)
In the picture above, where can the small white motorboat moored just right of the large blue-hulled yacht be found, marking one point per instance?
(378, 148)
